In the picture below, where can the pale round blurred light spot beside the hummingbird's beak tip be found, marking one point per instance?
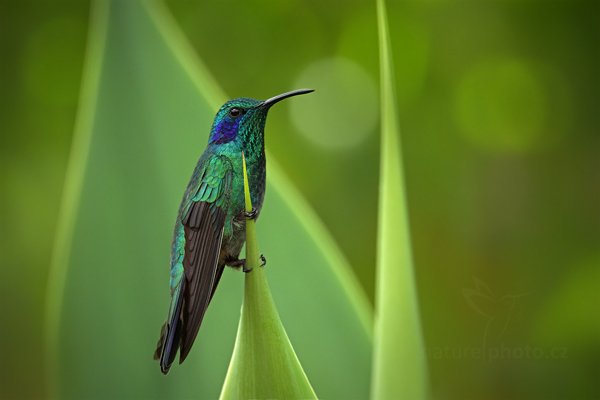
(343, 110)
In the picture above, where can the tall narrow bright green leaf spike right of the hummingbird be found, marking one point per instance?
(399, 367)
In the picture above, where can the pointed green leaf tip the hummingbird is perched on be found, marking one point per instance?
(264, 364)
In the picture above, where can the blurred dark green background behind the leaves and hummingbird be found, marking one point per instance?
(499, 109)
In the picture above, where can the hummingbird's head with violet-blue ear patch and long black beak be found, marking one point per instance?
(244, 117)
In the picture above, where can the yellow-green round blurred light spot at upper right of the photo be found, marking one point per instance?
(500, 106)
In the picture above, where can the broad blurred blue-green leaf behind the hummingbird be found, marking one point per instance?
(146, 108)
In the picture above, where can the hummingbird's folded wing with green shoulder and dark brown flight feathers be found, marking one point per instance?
(202, 217)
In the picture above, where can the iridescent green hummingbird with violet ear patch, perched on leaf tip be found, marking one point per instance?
(210, 227)
